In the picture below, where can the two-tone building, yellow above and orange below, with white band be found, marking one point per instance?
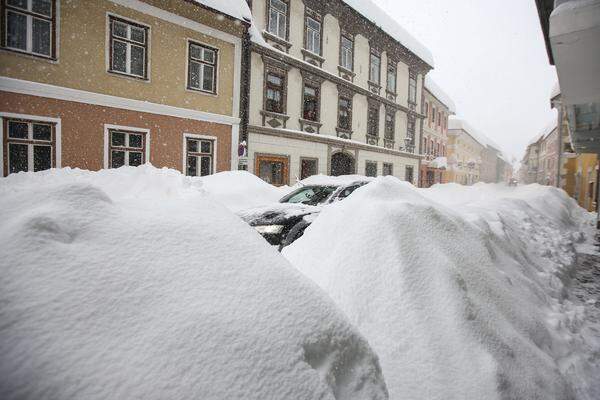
(120, 82)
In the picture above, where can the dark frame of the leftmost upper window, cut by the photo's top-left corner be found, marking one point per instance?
(53, 19)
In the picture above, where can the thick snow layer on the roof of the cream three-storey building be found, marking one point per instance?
(380, 18)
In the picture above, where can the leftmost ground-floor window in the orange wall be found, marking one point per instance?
(29, 145)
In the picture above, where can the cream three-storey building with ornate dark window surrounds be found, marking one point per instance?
(332, 93)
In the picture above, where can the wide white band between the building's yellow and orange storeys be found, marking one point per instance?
(81, 96)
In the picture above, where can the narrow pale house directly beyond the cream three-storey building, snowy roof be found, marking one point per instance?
(438, 106)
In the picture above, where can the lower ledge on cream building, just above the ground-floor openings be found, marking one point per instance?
(330, 140)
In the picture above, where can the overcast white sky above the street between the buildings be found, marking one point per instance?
(490, 58)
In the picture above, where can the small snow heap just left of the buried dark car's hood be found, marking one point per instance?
(239, 190)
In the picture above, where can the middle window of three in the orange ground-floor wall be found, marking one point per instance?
(126, 148)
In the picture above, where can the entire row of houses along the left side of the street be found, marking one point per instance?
(282, 88)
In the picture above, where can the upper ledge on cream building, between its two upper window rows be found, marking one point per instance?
(304, 66)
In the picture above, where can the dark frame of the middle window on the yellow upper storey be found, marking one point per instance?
(110, 47)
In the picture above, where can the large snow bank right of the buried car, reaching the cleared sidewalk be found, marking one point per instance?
(460, 301)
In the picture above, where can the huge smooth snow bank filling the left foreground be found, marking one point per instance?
(133, 283)
